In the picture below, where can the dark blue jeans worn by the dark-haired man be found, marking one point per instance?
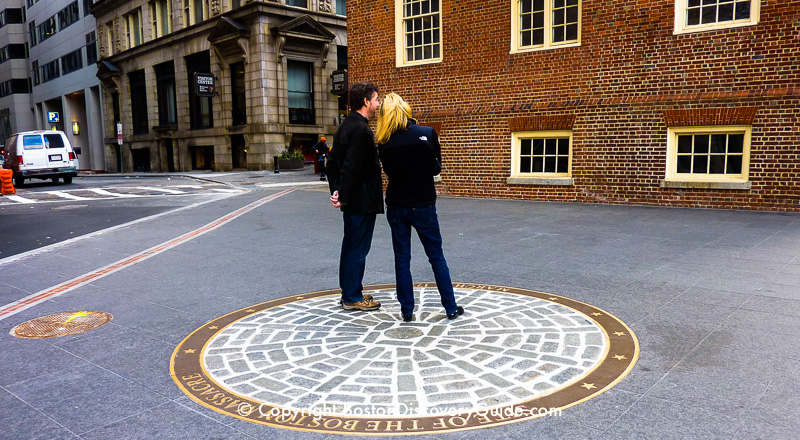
(355, 246)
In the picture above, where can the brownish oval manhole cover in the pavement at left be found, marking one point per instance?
(60, 324)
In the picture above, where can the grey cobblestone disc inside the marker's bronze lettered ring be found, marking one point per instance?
(310, 353)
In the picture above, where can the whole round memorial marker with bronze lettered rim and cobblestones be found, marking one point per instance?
(304, 363)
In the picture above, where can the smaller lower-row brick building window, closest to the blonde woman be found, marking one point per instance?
(541, 154)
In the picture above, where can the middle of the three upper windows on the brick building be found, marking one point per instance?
(545, 24)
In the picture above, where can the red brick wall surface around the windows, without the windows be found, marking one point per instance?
(628, 71)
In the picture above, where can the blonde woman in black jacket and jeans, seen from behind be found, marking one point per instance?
(411, 155)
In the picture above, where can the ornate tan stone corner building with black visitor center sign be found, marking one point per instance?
(271, 62)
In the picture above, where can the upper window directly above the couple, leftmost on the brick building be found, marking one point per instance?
(418, 32)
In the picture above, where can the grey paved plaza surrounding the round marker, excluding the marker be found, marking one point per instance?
(712, 296)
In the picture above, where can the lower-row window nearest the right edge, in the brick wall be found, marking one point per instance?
(708, 154)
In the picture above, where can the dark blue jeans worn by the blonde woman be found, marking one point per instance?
(424, 220)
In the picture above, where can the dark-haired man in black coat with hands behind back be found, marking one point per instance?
(354, 178)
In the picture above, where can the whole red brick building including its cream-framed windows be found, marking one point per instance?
(656, 102)
